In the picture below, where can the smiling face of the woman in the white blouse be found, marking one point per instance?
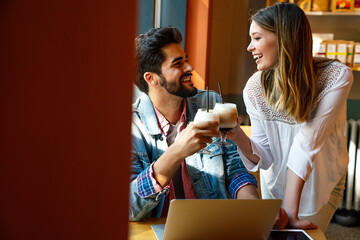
(263, 47)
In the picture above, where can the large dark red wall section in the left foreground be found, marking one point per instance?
(66, 74)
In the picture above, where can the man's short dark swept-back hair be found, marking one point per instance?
(149, 54)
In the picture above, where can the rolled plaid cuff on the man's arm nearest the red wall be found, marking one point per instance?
(147, 184)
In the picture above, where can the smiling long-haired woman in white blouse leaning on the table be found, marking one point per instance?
(297, 107)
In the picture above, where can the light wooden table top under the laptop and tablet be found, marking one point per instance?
(142, 230)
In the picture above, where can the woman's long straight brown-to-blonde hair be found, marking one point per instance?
(290, 86)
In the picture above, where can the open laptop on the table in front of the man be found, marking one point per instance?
(218, 219)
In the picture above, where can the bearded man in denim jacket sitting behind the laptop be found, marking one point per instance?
(165, 159)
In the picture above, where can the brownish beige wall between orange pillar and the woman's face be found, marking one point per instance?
(230, 63)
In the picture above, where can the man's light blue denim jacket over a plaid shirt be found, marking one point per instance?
(213, 176)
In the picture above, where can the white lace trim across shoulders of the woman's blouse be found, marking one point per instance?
(326, 76)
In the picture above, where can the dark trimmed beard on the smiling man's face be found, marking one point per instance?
(180, 91)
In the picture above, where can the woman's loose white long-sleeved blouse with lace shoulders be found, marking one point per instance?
(315, 150)
